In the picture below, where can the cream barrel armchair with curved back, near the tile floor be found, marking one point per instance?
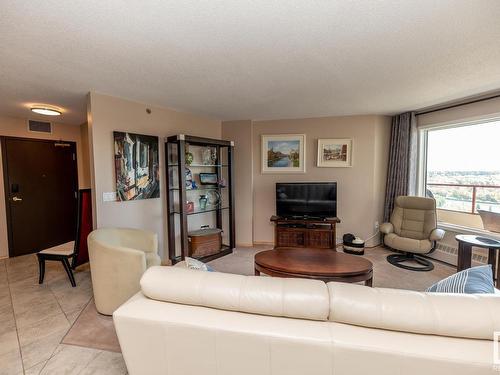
(118, 258)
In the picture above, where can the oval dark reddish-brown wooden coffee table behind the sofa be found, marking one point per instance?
(319, 264)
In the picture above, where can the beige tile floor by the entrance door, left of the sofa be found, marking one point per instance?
(35, 318)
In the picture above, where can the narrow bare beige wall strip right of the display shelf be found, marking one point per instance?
(241, 133)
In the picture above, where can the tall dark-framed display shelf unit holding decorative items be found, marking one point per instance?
(202, 193)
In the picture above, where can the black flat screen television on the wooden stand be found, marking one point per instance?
(306, 199)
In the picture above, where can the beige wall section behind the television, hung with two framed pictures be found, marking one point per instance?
(360, 188)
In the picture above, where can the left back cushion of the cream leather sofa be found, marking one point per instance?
(293, 298)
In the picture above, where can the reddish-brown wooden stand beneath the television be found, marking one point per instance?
(304, 232)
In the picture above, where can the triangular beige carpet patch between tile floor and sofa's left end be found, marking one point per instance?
(93, 330)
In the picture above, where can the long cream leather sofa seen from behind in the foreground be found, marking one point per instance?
(194, 322)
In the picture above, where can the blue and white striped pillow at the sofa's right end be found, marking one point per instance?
(471, 281)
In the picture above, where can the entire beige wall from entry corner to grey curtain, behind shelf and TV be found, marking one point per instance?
(361, 188)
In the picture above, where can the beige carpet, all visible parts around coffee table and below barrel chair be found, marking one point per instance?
(97, 331)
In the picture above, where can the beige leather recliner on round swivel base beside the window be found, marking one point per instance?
(413, 230)
